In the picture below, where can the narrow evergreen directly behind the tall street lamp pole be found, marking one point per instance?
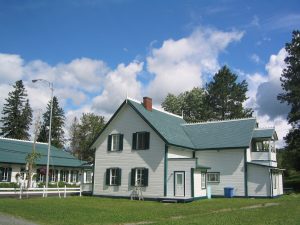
(58, 122)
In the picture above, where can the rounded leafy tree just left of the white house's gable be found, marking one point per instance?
(84, 133)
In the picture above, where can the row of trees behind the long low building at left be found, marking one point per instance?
(17, 116)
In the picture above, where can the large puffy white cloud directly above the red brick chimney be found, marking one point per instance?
(180, 65)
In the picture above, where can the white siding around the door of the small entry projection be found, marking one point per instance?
(179, 165)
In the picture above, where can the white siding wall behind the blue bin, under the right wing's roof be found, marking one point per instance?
(230, 164)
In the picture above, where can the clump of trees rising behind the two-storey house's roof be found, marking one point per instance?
(222, 98)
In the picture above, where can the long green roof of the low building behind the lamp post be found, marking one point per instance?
(15, 151)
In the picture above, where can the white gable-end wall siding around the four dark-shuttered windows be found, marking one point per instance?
(127, 122)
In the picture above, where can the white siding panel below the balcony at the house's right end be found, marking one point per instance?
(258, 181)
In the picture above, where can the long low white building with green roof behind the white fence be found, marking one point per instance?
(63, 166)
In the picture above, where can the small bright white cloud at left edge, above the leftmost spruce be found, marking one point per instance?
(10, 68)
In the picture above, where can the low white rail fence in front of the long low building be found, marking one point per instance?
(43, 191)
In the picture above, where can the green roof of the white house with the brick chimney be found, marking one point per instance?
(209, 135)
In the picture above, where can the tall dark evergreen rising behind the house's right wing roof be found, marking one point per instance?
(226, 96)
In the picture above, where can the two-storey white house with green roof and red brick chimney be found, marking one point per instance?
(168, 158)
